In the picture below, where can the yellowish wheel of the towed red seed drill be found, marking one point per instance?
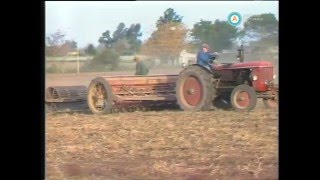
(100, 96)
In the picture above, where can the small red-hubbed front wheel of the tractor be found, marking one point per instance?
(243, 98)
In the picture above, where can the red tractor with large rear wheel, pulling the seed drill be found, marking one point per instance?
(234, 85)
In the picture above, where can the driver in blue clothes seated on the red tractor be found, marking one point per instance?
(205, 58)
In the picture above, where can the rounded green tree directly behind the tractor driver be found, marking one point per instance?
(219, 35)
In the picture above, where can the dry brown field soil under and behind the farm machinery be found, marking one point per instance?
(167, 144)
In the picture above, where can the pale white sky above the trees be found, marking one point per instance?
(85, 21)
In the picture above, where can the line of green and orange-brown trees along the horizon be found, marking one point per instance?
(170, 38)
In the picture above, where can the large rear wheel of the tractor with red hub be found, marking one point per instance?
(194, 89)
